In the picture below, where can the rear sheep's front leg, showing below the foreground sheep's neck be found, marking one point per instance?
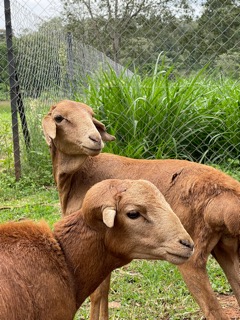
(99, 301)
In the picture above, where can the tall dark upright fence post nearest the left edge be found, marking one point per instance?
(13, 90)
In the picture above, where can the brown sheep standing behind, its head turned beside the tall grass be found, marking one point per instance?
(206, 200)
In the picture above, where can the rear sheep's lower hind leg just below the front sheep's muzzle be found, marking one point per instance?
(197, 281)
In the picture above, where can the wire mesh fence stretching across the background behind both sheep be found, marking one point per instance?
(60, 47)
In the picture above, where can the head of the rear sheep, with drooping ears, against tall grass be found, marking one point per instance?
(72, 128)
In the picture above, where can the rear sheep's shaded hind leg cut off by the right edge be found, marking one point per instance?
(226, 254)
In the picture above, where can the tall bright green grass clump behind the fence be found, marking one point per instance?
(163, 116)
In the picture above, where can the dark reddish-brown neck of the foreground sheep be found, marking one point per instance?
(85, 253)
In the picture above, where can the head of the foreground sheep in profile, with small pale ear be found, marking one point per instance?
(136, 221)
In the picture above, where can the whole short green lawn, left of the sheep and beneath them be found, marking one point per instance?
(141, 290)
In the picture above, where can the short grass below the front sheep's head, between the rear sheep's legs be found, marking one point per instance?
(154, 290)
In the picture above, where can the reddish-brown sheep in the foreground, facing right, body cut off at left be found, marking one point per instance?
(48, 275)
